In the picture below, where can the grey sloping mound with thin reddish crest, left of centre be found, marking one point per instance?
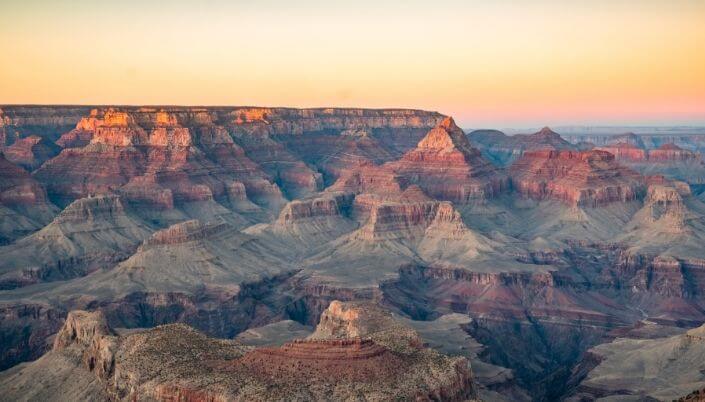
(212, 259)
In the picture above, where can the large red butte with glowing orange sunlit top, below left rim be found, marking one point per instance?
(153, 164)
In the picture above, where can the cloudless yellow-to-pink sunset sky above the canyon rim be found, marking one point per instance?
(488, 63)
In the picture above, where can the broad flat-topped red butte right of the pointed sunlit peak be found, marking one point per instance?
(586, 178)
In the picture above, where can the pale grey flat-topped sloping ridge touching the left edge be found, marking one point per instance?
(89, 234)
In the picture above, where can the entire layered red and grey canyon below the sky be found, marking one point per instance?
(368, 254)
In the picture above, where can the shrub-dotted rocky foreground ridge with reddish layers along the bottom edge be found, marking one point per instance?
(177, 361)
